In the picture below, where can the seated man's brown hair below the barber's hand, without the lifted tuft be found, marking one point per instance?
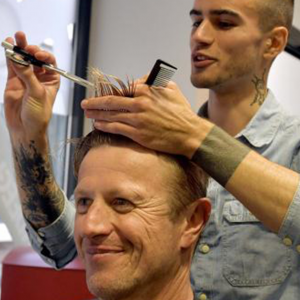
(189, 183)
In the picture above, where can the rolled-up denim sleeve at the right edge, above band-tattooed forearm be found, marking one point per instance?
(290, 229)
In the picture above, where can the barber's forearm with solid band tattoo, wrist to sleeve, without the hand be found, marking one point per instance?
(265, 188)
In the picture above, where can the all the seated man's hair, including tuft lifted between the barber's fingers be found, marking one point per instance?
(189, 181)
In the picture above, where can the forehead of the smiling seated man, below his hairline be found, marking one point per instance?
(128, 164)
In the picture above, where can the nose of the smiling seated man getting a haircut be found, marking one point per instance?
(98, 221)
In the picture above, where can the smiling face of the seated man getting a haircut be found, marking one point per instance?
(123, 229)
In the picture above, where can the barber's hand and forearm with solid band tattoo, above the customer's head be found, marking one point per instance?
(161, 119)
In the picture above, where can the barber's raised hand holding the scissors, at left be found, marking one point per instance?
(29, 94)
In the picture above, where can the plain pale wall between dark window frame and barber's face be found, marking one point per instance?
(127, 36)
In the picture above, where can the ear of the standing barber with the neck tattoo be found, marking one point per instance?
(275, 42)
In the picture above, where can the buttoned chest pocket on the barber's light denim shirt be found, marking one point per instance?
(252, 255)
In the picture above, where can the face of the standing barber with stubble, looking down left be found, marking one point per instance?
(226, 44)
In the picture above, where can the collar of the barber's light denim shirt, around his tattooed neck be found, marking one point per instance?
(262, 128)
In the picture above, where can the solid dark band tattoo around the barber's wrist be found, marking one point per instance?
(219, 155)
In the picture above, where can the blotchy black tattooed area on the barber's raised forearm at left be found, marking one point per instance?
(42, 201)
